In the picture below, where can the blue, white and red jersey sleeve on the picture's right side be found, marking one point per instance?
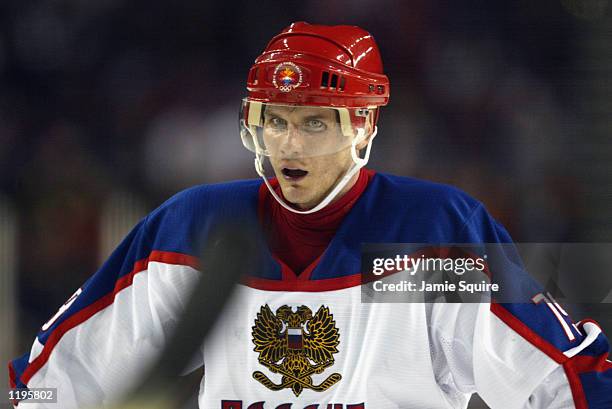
(523, 355)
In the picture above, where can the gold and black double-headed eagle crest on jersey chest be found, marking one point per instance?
(296, 345)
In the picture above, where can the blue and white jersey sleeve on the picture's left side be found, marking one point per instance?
(104, 336)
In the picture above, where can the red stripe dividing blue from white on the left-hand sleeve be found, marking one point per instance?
(92, 309)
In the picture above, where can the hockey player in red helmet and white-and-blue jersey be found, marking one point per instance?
(296, 334)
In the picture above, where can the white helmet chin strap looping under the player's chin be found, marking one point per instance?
(358, 163)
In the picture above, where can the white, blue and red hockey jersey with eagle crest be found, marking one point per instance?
(336, 352)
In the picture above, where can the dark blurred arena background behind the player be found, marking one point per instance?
(109, 107)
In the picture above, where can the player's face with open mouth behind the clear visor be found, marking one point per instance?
(291, 135)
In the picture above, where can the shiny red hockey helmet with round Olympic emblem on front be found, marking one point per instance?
(306, 64)
